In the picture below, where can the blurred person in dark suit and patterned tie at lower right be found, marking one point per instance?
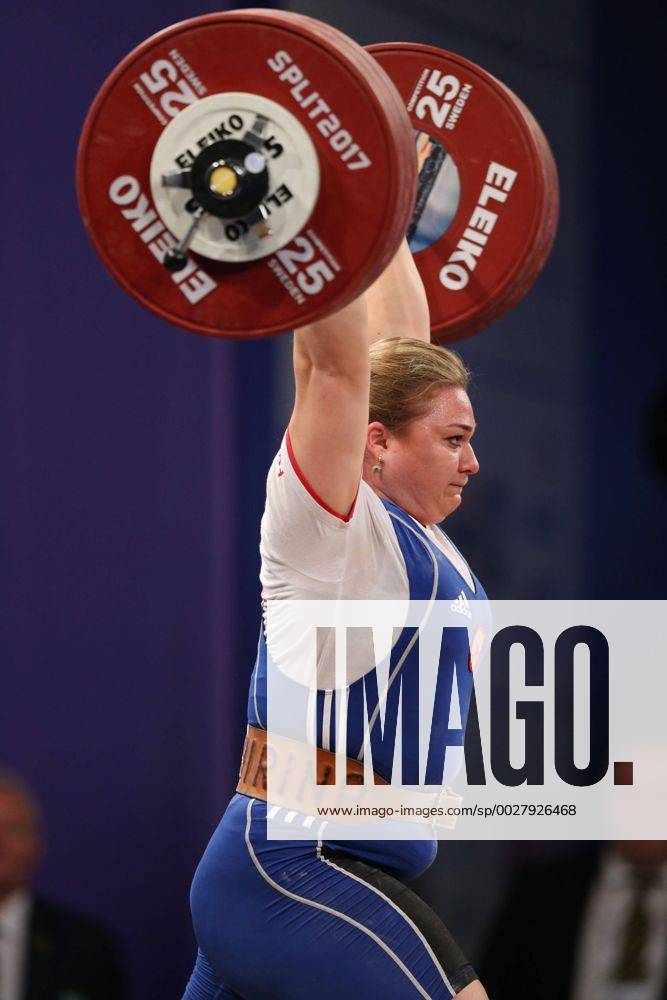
(592, 926)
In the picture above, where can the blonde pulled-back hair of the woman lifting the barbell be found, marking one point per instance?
(405, 374)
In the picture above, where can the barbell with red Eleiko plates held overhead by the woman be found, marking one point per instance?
(244, 173)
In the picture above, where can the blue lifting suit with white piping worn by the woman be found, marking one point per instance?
(320, 919)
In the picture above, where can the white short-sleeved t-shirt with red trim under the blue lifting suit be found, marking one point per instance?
(310, 552)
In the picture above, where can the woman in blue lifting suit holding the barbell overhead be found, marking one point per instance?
(377, 453)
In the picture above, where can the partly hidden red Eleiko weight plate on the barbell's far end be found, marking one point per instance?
(487, 205)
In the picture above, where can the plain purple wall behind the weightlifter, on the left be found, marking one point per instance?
(122, 467)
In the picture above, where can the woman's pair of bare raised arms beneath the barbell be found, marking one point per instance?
(332, 371)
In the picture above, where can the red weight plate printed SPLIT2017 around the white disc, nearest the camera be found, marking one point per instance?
(321, 78)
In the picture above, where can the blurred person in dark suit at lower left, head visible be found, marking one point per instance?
(47, 952)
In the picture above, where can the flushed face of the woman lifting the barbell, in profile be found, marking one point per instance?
(426, 466)
